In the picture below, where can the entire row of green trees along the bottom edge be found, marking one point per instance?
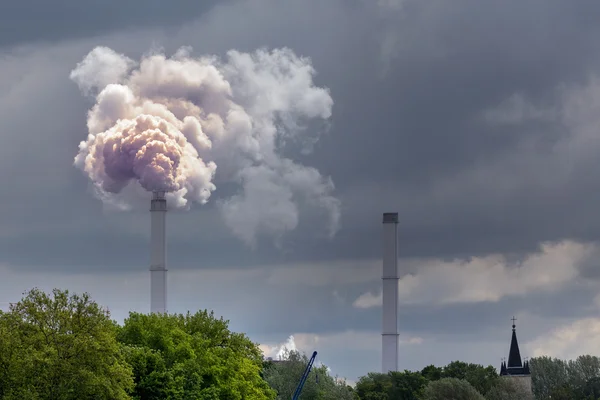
(62, 346)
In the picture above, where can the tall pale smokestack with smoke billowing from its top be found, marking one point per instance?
(158, 252)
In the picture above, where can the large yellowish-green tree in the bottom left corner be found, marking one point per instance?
(60, 346)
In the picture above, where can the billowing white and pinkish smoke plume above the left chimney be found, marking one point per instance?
(184, 125)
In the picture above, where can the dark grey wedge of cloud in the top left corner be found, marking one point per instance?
(24, 22)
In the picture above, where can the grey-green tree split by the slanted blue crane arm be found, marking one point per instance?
(284, 376)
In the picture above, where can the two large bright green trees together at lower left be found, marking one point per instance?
(65, 347)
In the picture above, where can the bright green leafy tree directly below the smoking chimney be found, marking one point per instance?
(191, 357)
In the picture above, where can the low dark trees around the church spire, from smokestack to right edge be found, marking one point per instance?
(551, 378)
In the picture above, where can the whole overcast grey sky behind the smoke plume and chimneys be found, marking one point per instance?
(477, 124)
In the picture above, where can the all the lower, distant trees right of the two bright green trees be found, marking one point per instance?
(551, 378)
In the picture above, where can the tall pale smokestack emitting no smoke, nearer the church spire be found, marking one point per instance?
(389, 333)
